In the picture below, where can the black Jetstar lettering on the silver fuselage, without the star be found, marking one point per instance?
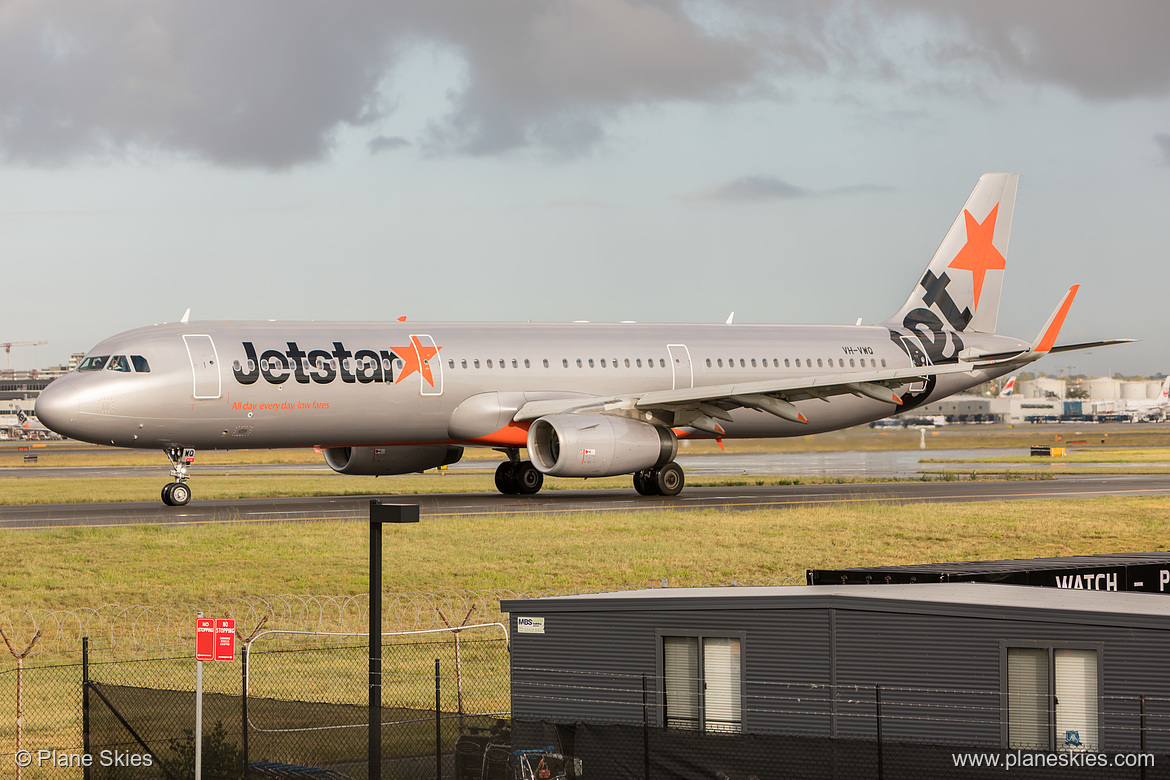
(320, 367)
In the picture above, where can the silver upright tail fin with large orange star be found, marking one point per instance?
(961, 287)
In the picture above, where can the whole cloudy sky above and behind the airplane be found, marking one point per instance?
(552, 161)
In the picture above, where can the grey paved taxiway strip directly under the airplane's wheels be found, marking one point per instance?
(448, 506)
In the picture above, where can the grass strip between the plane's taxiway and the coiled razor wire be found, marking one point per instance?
(66, 569)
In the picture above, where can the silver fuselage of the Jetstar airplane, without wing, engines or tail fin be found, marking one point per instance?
(260, 385)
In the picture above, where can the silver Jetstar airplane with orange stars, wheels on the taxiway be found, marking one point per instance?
(583, 399)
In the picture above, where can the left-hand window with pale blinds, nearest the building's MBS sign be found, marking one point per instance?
(703, 684)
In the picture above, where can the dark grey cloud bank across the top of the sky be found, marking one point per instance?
(269, 84)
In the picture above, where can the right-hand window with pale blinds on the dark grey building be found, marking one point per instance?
(1052, 699)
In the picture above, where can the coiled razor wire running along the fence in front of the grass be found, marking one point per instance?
(139, 629)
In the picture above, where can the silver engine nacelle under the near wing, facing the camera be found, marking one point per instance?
(597, 446)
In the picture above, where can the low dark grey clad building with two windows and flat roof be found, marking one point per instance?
(958, 664)
